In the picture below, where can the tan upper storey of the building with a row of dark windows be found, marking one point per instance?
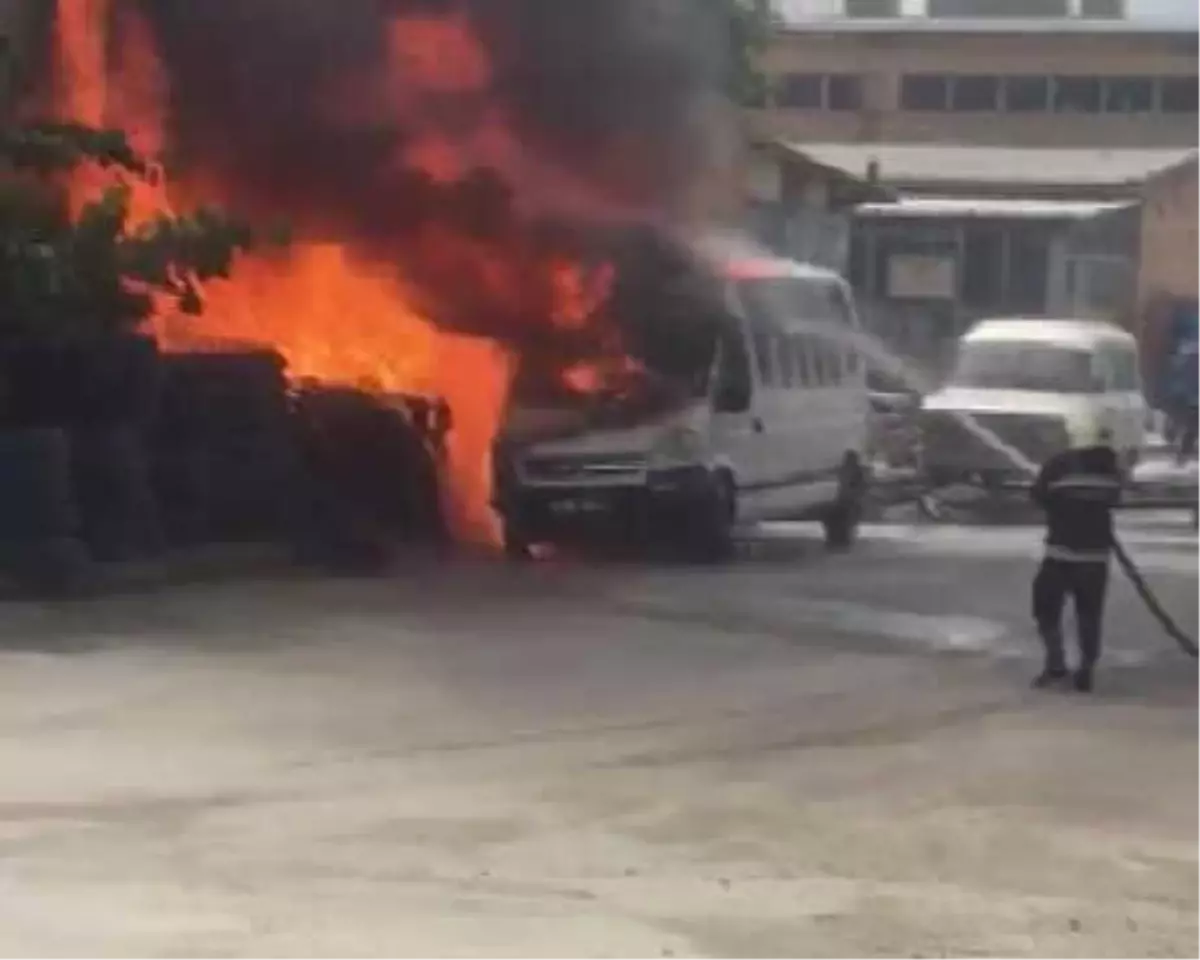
(1102, 83)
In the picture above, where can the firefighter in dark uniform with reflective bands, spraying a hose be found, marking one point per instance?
(1078, 491)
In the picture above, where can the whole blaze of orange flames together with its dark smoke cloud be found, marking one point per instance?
(451, 171)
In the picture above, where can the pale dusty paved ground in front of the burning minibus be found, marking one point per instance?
(799, 757)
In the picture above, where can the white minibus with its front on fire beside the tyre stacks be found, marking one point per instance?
(776, 429)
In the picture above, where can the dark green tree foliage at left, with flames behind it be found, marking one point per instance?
(95, 275)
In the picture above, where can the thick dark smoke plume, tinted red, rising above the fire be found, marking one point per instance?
(297, 110)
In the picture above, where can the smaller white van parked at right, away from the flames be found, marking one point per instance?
(1041, 386)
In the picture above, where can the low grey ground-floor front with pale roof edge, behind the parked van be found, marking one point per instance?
(927, 269)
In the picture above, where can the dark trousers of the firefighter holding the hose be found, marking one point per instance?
(1087, 584)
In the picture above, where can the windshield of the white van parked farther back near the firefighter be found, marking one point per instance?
(1015, 365)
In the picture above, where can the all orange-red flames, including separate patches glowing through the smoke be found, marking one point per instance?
(338, 310)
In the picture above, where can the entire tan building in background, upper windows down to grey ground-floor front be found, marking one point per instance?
(1046, 164)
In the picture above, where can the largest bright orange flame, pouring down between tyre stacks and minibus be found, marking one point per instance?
(340, 320)
